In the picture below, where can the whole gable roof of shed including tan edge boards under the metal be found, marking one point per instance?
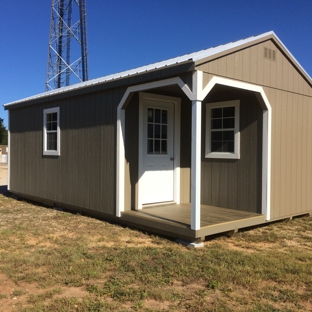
(196, 58)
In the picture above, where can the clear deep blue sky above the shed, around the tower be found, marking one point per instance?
(125, 34)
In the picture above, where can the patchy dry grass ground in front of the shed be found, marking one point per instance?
(58, 261)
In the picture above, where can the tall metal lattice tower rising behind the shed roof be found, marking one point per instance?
(68, 53)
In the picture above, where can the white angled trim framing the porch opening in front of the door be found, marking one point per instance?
(120, 170)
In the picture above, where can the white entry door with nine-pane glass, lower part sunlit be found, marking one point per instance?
(156, 182)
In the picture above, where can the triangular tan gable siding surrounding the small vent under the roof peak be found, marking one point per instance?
(250, 65)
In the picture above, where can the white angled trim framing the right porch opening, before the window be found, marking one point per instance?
(266, 136)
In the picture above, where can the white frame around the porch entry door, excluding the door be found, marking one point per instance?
(176, 142)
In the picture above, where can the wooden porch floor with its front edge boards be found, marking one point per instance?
(174, 220)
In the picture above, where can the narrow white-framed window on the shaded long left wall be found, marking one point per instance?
(51, 131)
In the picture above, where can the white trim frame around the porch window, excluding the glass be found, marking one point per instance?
(224, 155)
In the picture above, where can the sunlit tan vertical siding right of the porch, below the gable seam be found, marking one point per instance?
(291, 153)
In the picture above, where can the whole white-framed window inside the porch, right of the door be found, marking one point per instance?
(222, 130)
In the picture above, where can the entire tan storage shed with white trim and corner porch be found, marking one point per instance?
(200, 144)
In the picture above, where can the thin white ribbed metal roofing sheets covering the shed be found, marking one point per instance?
(192, 57)
